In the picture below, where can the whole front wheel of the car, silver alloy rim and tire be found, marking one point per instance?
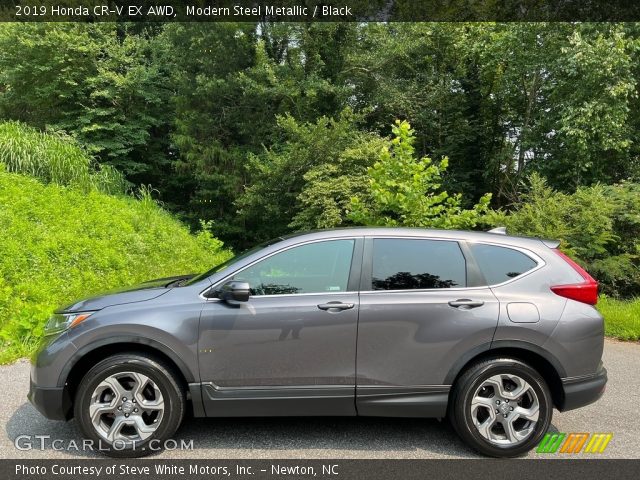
(129, 405)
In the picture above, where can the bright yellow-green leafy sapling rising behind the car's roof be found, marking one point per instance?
(405, 191)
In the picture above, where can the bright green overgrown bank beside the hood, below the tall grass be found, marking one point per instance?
(58, 244)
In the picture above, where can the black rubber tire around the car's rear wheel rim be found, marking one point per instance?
(471, 380)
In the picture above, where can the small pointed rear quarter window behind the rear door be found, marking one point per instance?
(499, 264)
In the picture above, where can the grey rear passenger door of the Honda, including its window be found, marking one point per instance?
(422, 308)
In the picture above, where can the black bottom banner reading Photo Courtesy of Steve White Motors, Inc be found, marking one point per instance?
(109, 469)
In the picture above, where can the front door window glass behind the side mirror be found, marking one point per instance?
(311, 268)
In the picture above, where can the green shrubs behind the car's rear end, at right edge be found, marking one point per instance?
(598, 225)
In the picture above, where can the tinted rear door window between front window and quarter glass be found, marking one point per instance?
(400, 264)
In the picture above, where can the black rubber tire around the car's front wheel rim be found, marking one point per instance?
(159, 373)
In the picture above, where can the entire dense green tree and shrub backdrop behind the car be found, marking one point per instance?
(262, 129)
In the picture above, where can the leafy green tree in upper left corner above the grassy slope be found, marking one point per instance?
(97, 83)
